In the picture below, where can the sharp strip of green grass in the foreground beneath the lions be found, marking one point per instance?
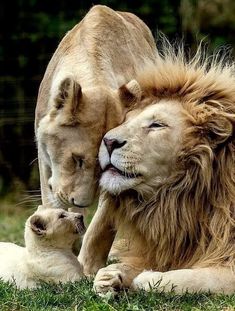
(79, 296)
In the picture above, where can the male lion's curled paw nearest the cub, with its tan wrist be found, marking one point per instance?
(115, 277)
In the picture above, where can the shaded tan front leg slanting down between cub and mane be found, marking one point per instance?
(98, 239)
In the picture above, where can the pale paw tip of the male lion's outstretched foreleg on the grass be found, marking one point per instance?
(147, 281)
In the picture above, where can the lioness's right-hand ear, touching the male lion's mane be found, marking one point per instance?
(130, 93)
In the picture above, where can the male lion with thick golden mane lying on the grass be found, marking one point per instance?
(168, 182)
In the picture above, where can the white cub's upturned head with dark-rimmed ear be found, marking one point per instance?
(53, 227)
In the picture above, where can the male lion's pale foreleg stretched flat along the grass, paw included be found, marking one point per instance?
(214, 280)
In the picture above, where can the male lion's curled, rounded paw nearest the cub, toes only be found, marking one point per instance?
(108, 280)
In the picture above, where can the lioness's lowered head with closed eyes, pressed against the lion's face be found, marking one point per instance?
(69, 136)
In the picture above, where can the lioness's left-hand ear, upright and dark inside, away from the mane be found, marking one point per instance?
(68, 96)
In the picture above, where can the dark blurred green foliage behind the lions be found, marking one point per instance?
(30, 33)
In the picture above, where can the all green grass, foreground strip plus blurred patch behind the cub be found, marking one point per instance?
(80, 296)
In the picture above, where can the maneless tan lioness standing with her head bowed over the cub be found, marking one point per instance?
(81, 97)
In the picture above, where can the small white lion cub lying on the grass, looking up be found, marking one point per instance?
(47, 255)
